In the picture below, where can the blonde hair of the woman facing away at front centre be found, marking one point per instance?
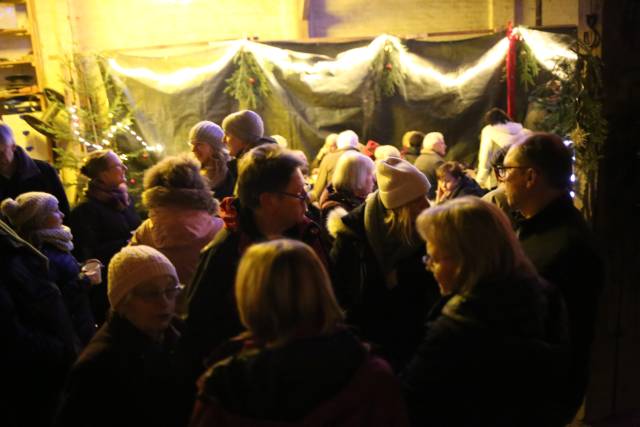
(283, 291)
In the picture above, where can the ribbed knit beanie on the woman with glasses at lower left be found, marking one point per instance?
(132, 266)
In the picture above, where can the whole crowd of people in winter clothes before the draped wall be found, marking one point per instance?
(375, 286)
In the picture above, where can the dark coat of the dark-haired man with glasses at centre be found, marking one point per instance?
(212, 316)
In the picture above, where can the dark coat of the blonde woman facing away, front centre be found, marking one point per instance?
(319, 381)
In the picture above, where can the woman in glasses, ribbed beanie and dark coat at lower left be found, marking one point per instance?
(130, 373)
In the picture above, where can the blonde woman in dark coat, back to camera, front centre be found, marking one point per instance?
(296, 363)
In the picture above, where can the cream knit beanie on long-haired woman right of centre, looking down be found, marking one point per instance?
(399, 182)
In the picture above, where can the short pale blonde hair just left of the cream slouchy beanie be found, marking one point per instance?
(352, 170)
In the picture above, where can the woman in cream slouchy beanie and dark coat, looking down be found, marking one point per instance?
(377, 257)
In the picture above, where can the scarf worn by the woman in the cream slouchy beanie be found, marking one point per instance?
(388, 248)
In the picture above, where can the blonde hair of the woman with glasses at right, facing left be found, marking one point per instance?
(479, 236)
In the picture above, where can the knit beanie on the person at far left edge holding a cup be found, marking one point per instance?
(29, 209)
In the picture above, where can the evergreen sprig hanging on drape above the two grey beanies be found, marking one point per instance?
(248, 84)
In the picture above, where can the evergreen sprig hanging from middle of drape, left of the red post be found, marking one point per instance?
(386, 68)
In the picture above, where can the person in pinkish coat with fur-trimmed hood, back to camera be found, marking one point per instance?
(182, 217)
